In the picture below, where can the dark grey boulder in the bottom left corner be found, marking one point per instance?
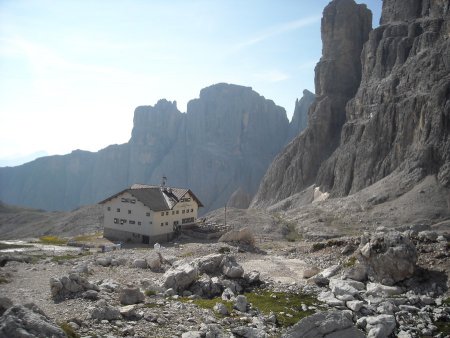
(23, 321)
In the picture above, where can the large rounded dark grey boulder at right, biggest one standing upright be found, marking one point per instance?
(388, 257)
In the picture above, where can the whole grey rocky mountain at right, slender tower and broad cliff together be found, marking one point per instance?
(382, 112)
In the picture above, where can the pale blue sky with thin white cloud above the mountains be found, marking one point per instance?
(73, 71)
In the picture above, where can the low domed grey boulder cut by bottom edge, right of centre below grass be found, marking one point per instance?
(336, 324)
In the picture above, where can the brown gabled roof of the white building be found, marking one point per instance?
(156, 198)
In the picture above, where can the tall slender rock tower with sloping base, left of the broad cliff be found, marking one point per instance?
(345, 28)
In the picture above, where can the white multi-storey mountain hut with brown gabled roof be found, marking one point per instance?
(148, 214)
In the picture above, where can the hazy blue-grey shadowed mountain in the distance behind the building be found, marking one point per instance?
(224, 142)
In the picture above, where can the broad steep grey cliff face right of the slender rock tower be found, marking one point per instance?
(400, 116)
